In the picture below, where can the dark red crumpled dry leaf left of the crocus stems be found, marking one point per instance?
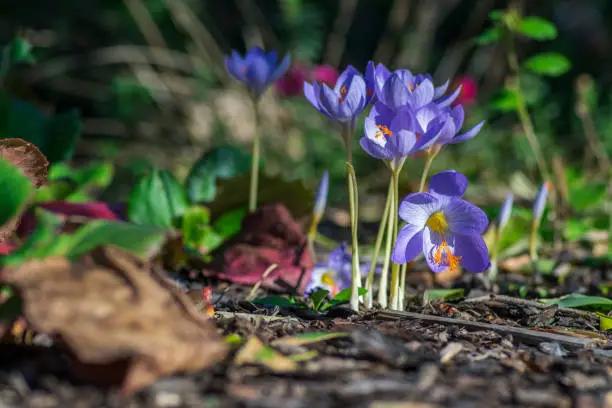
(268, 236)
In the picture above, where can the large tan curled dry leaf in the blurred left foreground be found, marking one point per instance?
(117, 312)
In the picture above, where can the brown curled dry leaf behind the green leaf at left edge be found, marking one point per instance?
(34, 165)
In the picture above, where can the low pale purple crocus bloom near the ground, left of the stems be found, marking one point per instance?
(335, 274)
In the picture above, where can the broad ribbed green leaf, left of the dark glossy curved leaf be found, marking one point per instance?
(157, 200)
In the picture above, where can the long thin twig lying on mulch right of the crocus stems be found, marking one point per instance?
(532, 337)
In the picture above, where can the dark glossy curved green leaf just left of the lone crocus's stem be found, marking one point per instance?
(221, 163)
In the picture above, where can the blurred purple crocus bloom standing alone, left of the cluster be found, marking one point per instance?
(257, 69)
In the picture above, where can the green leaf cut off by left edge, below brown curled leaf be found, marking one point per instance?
(16, 190)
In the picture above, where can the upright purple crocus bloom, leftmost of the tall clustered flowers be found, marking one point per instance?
(343, 103)
